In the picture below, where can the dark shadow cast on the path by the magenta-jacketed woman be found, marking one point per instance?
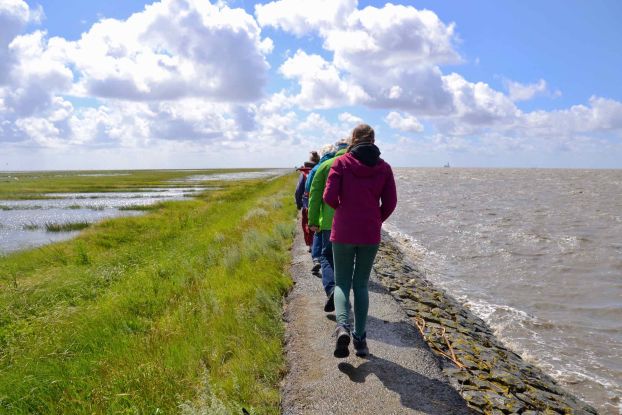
(416, 391)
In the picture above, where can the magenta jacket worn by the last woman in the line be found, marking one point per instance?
(362, 195)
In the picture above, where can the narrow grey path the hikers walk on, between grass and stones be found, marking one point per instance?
(401, 375)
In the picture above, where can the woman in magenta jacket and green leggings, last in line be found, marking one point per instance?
(361, 189)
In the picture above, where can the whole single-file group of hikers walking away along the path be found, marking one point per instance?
(345, 192)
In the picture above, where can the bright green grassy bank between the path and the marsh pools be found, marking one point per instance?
(175, 311)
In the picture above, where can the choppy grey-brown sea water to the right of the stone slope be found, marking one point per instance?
(537, 253)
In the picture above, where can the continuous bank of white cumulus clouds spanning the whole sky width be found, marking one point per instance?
(191, 74)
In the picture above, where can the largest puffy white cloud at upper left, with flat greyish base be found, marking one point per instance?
(173, 49)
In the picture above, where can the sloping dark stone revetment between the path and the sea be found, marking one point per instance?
(489, 376)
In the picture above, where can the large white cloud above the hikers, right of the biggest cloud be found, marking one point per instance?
(387, 56)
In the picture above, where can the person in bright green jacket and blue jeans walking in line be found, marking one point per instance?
(321, 221)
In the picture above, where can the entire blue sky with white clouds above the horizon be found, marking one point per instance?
(121, 84)
